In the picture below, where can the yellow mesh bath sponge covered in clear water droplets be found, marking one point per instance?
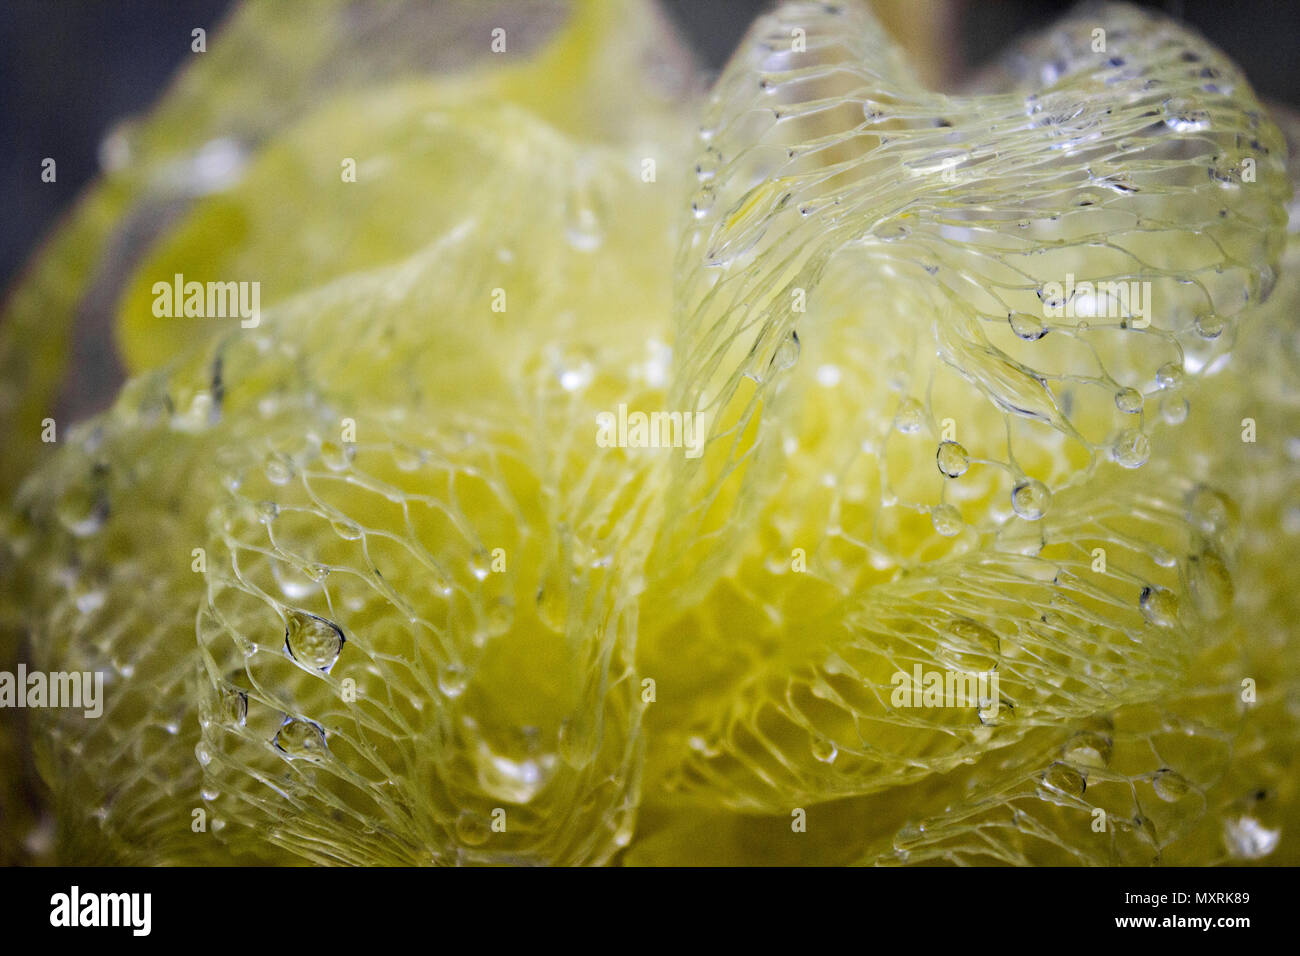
(427, 600)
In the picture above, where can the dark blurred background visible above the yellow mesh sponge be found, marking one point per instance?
(70, 70)
